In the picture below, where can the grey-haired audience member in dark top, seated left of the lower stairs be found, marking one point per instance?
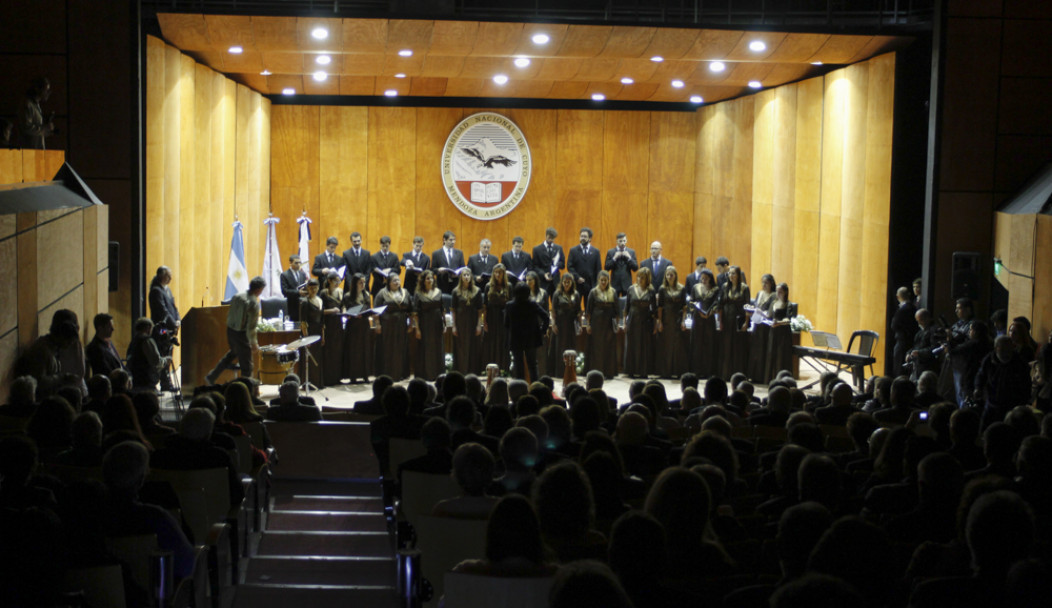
(125, 470)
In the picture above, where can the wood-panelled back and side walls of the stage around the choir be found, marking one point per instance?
(794, 181)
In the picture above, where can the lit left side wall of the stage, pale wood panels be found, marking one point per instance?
(208, 161)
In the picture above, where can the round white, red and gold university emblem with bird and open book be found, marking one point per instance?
(487, 166)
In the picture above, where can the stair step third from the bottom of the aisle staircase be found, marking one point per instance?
(304, 543)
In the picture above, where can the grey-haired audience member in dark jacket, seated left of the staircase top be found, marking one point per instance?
(192, 450)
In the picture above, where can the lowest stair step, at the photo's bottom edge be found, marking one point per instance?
(265, 596)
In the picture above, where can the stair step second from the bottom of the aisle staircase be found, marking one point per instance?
(321, 571)
